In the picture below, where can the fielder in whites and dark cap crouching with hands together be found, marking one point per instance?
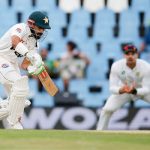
(129, 80)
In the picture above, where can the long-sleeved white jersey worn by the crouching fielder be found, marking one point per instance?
(121, 74)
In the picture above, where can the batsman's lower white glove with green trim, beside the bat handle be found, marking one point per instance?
(33, 70)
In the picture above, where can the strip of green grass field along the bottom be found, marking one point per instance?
(74, 140)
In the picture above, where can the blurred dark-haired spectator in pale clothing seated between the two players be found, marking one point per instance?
(73, 64)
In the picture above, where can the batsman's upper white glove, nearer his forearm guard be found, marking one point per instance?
(35, 59)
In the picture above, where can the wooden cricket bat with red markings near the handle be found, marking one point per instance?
(47, 82)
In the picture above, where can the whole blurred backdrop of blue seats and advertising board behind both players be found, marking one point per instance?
(86, 37)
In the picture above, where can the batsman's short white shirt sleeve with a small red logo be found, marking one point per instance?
(18, 30)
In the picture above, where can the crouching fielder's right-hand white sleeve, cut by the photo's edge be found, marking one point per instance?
(145, 88)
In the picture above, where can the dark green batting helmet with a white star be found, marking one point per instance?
(40, 19)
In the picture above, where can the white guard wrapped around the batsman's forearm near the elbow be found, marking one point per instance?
(21, 49)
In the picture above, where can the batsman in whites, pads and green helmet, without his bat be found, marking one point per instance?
(21, 40)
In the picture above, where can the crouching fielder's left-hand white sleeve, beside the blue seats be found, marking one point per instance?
(114, 80)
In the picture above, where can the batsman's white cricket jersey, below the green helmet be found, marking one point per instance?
(21, 30)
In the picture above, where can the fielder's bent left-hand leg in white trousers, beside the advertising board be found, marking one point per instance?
(113, 103)
